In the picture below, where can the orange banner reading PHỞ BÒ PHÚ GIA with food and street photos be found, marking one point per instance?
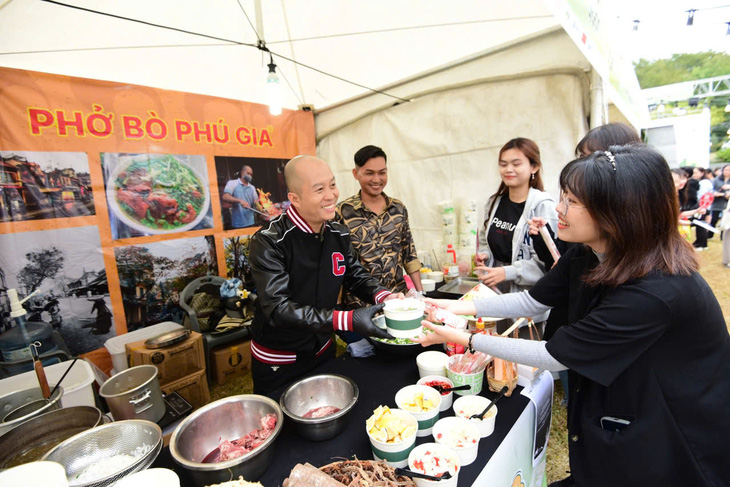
(113, 197)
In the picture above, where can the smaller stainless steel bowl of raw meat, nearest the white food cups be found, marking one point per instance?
(319, 391)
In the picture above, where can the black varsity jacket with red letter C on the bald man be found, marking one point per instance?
(298, 275)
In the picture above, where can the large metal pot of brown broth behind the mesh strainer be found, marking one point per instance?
(34, 438)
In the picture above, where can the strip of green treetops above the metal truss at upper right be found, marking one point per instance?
(681, 67)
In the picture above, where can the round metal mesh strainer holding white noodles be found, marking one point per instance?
(103, 442)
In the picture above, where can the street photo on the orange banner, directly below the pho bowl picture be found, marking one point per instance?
(153, 275)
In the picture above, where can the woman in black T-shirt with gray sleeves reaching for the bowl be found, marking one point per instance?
(650, 374)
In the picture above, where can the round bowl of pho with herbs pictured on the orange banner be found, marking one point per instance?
(157, 194)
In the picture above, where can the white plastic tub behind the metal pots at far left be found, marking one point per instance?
(76, 386)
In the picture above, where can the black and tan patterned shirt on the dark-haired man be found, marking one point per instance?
(383, 242)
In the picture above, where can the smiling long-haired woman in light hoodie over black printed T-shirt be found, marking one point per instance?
(507, 257)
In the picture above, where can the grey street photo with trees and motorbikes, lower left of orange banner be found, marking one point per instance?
(65, 269)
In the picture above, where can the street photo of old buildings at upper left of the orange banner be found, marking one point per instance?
(43, 185)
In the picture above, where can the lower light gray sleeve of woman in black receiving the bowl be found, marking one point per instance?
(526, 352)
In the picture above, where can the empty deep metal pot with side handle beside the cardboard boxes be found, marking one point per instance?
(134, 394)
